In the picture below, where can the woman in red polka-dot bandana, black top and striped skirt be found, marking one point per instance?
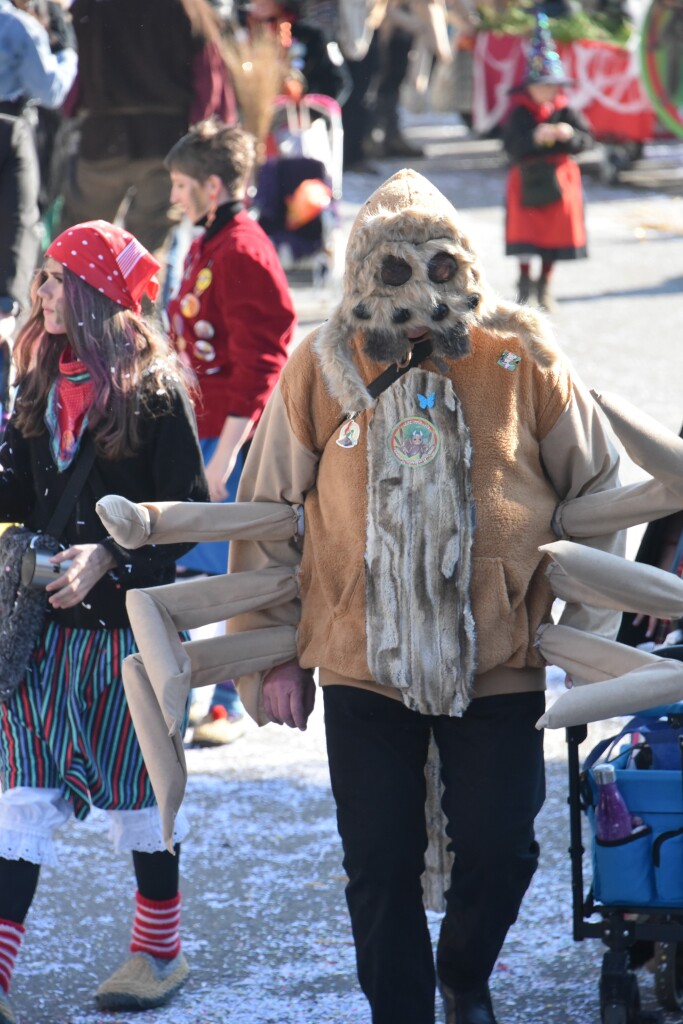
(93, 374)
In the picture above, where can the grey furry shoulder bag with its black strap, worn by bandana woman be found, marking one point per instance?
(23, 608)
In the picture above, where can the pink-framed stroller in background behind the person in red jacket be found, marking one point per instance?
(300, 186)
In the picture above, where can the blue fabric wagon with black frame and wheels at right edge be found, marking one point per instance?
(637, 883)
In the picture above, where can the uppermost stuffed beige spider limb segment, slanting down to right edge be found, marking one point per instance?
(651, 445)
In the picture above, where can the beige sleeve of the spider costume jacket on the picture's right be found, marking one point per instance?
(581, 458)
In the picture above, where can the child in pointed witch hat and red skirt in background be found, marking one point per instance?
(544, 200)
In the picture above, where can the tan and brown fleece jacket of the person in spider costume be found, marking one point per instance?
(534, 438)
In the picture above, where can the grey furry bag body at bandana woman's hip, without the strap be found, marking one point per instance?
(23, 608)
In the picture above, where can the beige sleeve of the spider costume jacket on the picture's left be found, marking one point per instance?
(279, 468)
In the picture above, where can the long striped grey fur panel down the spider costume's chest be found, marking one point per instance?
(419, 544)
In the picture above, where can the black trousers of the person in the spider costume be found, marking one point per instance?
(493, 771)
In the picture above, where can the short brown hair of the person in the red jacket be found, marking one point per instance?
(214, 148)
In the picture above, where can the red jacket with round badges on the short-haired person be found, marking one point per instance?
(234, 320)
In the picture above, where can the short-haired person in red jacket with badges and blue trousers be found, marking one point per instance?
(233, 320)
